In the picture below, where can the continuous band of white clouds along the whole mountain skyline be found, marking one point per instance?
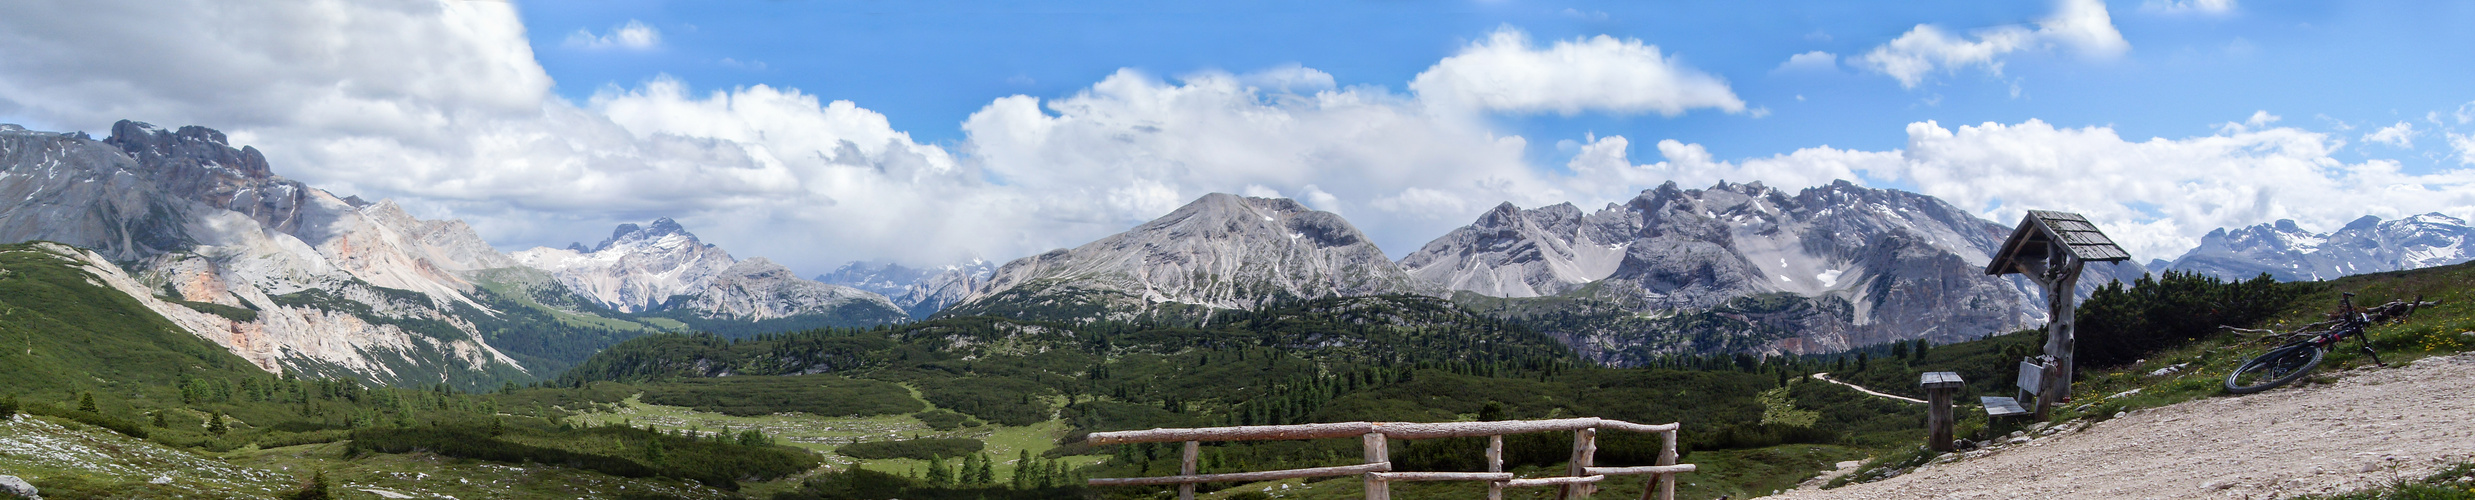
(459, 123)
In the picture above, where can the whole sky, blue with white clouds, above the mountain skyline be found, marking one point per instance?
(823, 132)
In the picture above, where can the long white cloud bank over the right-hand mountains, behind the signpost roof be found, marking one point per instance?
(2157, 197)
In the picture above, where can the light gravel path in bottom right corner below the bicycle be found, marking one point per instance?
(2365, 429)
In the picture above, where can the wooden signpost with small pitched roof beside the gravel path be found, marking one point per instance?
(2051, 249)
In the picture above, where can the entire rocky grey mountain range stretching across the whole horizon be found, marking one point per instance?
(296, 278)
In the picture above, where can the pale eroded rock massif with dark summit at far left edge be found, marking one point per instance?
(202, 222)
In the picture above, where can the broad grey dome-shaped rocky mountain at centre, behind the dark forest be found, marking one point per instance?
(1219, 251)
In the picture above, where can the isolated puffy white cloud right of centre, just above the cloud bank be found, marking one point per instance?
(1603, 73)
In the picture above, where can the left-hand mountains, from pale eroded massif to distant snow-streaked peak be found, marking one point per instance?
(296, 278)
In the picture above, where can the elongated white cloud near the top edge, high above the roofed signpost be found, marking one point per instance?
(1914, 56)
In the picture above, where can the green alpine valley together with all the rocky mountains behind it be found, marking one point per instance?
(182, 323)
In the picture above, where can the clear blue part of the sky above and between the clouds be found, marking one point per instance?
(929, 66)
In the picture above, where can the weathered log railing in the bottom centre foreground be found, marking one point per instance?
(1580, 479)
